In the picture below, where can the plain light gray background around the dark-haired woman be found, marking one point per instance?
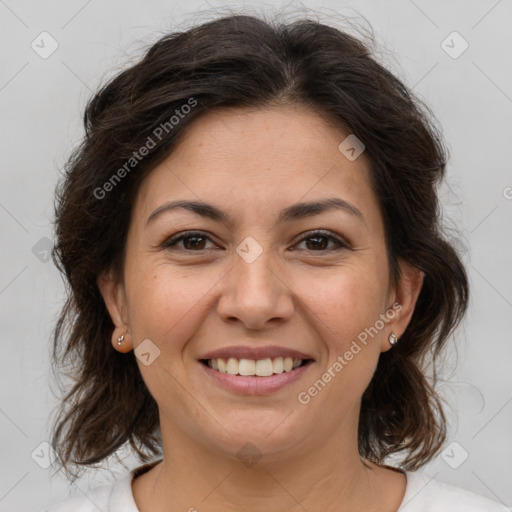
(42, 101)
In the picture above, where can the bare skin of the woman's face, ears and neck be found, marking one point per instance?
(298, 293)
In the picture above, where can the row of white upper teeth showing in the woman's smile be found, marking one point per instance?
(260, 367)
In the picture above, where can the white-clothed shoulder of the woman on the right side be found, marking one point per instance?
(426, 494)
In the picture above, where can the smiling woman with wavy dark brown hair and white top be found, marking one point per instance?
(257, 276)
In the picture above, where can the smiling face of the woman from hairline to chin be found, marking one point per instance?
(255, 277)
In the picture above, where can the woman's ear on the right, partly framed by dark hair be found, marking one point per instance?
(403, 301)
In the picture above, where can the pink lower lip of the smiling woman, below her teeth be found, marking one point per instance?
(253, 385)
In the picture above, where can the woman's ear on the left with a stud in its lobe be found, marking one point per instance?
(113, 294)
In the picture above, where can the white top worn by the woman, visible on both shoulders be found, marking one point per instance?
(422, 494)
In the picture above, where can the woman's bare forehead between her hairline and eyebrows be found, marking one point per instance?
(251, 160)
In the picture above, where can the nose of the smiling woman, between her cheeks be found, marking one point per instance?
(255, 293)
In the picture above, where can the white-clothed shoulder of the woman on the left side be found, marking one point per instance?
(116, 497)
